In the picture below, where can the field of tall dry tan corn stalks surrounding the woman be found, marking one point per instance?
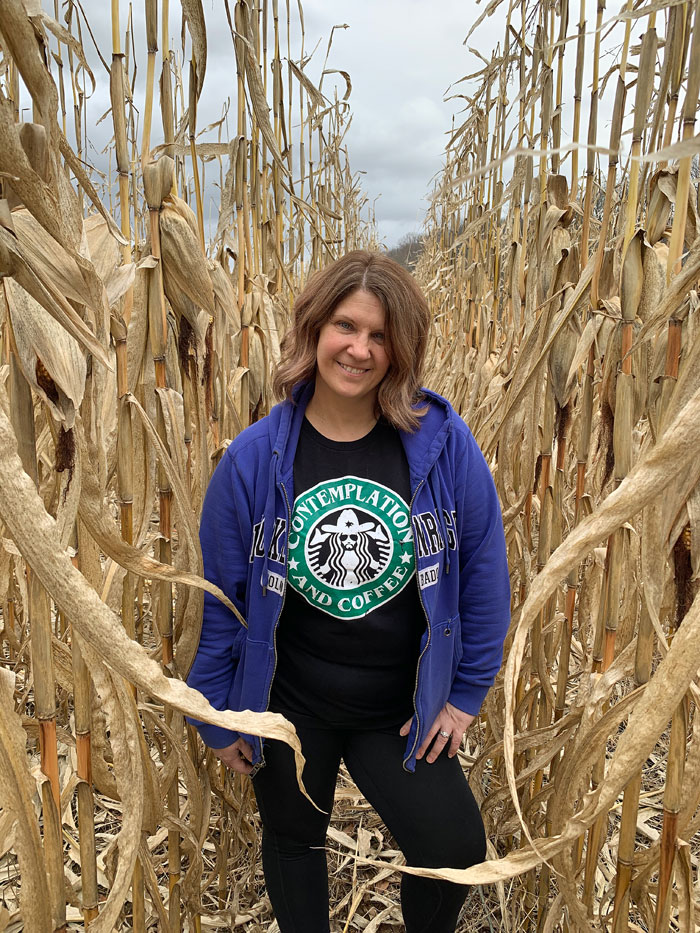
(562, 263)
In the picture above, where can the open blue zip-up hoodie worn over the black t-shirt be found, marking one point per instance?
(460, 564)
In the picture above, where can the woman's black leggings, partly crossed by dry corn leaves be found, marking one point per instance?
(431, 814)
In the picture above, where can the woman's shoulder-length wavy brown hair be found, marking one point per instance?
(406, 329)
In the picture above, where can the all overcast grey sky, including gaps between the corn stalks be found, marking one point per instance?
(402, 56)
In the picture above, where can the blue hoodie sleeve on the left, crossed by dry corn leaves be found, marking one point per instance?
(225, 556)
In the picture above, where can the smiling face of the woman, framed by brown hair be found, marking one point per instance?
(352, 354)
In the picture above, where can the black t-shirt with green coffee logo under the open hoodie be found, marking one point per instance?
(348, 637)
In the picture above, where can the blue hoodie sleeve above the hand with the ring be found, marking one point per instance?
(484, 584)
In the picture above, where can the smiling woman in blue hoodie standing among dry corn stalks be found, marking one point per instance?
(357, 529)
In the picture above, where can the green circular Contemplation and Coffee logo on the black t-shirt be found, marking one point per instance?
(350, 546)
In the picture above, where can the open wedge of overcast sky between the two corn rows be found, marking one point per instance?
(402, 56)
